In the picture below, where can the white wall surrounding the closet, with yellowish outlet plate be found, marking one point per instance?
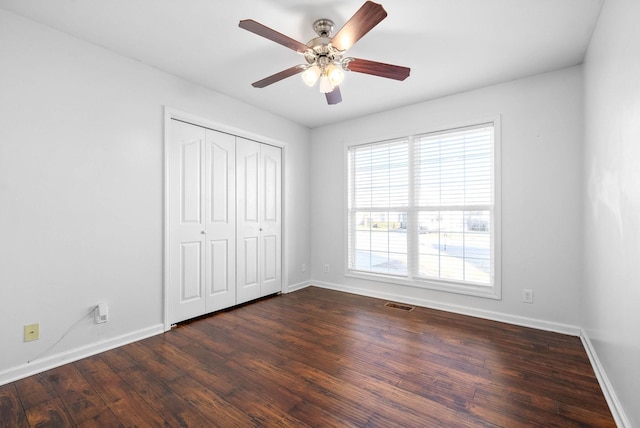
(81, 189)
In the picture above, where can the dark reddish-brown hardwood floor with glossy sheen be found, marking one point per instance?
(324, 359)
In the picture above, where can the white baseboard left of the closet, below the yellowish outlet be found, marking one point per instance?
(19, 372)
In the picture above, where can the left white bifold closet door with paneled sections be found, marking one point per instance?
(202, 221)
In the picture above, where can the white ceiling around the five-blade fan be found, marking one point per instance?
(450, 45)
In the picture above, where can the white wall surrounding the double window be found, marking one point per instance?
(541, 196)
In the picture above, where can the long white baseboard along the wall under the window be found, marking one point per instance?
(568, 329)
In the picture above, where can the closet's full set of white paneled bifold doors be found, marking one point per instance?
(223, 220)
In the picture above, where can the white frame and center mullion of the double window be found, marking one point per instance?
(493, 291)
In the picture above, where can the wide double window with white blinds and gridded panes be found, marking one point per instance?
(422, 210)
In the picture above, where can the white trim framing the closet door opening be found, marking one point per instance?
(171, 113)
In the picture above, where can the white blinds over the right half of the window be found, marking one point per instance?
(453, 198)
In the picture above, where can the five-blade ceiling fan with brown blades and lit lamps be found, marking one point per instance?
(325, 54)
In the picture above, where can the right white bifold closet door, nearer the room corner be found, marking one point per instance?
(259, 222)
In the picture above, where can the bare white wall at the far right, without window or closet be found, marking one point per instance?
(611, 292)
